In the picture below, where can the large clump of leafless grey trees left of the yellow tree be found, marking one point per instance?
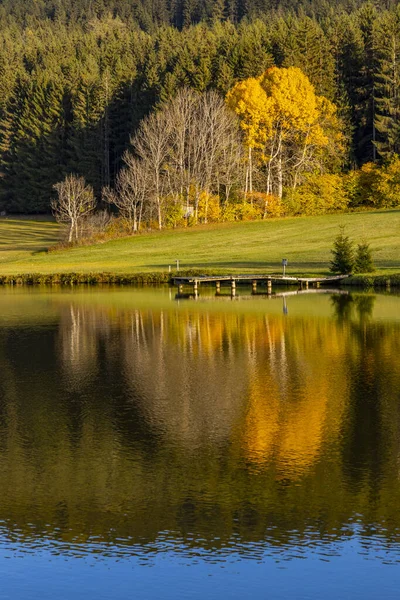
(191, 145)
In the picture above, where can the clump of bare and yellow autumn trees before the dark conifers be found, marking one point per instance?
(200, 159)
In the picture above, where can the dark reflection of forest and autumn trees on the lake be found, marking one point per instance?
(206, 424)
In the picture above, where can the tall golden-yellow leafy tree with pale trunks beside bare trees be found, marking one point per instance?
(289, 127)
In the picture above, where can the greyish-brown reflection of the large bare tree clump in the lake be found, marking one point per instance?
(193, 394)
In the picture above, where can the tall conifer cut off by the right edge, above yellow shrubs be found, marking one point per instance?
(387, 86)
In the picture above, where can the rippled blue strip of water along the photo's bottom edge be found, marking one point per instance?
(352, 574)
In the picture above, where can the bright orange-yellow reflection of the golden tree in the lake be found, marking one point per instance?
(291, 427)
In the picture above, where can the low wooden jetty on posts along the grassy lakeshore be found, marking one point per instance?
(268, 280)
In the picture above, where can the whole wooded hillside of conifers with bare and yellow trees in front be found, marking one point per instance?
(200, 109)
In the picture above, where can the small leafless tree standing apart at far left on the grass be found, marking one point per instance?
(75, 200)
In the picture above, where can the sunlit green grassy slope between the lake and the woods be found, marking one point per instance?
(224, 248)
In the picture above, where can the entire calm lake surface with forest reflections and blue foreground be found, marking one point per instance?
(153, 448)
